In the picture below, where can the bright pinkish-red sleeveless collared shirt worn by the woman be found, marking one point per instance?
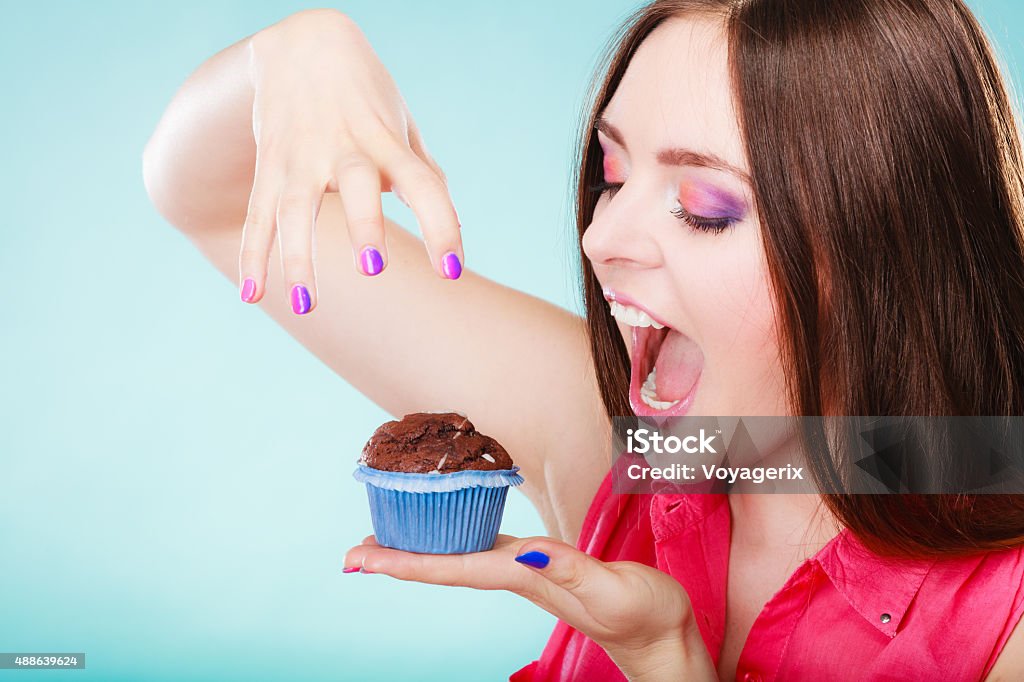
(845, 614)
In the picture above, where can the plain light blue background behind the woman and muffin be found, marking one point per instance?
(177, 471)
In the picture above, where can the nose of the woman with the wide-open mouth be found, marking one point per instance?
(622, 233)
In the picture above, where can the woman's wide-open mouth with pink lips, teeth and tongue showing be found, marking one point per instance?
(667, 365)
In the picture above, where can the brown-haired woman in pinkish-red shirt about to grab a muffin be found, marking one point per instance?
(822, 202)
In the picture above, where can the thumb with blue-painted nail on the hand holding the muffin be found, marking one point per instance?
(568, 568)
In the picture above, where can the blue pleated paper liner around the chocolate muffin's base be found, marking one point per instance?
(454, 514)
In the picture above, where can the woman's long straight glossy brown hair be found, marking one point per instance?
(887, 174)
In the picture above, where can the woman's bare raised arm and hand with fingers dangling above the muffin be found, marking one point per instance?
(248, 149)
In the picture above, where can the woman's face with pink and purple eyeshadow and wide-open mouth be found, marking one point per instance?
(675, 239)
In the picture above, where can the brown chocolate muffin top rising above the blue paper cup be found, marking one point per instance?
(434, 443)
